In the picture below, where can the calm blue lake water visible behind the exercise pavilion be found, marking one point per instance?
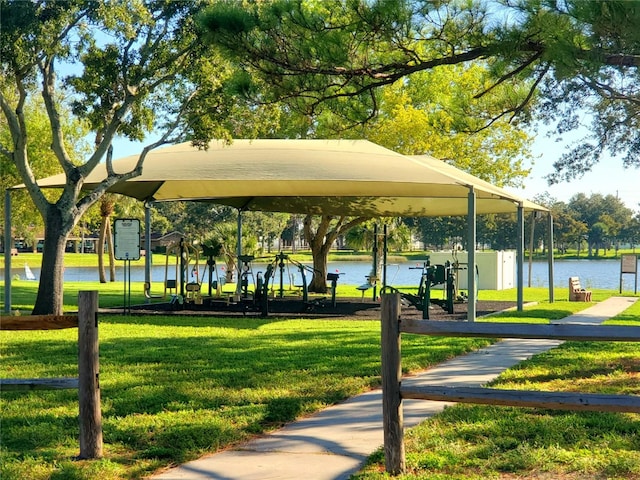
(603, 274)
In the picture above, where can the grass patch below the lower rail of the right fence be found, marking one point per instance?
(505, 441)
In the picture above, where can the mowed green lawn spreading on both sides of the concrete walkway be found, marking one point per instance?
(175, 388)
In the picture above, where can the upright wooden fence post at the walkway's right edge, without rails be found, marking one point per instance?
(392, 418)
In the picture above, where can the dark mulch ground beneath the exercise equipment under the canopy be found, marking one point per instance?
(352, 308)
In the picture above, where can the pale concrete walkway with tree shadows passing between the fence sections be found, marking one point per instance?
(334, 443)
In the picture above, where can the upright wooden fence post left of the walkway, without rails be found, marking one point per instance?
(89, 376)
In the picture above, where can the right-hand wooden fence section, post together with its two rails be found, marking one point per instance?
(393, 392)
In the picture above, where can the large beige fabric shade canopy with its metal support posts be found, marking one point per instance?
(331, 177)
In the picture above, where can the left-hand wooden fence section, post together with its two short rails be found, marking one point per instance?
(88, 381)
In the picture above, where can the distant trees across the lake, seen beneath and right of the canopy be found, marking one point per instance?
(585, 224)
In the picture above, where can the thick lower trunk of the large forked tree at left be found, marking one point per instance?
(49, 299)
